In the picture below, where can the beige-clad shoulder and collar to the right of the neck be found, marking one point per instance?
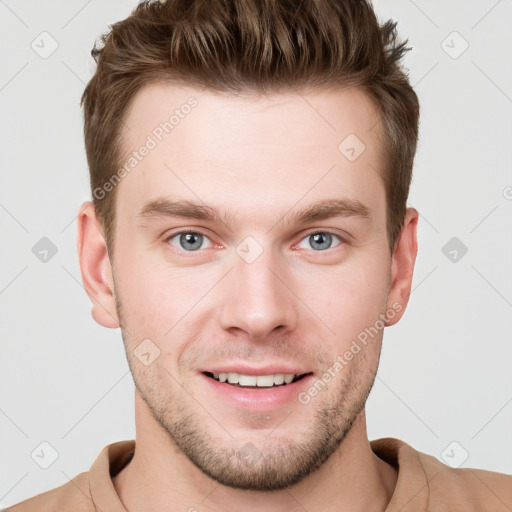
(425, 480)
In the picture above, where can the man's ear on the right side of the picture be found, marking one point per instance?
(402, 266)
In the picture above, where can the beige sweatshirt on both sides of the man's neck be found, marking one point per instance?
(424, 484)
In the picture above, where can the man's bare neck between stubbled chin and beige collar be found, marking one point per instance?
(352, 479)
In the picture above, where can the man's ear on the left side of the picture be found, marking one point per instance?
(95, 267)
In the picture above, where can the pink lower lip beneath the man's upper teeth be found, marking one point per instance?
(261, 399)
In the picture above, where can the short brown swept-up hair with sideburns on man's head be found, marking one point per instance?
(251, 46)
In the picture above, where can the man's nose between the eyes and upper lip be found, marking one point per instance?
(258, 298)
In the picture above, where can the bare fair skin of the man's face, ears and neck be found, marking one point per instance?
(299, 303)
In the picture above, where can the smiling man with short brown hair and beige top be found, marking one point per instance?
(250, 166)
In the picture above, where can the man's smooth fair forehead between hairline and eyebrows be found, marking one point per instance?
(251, 152)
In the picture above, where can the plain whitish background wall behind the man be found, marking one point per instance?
(445, 372)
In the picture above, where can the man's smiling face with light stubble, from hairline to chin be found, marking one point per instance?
(256, 291)
